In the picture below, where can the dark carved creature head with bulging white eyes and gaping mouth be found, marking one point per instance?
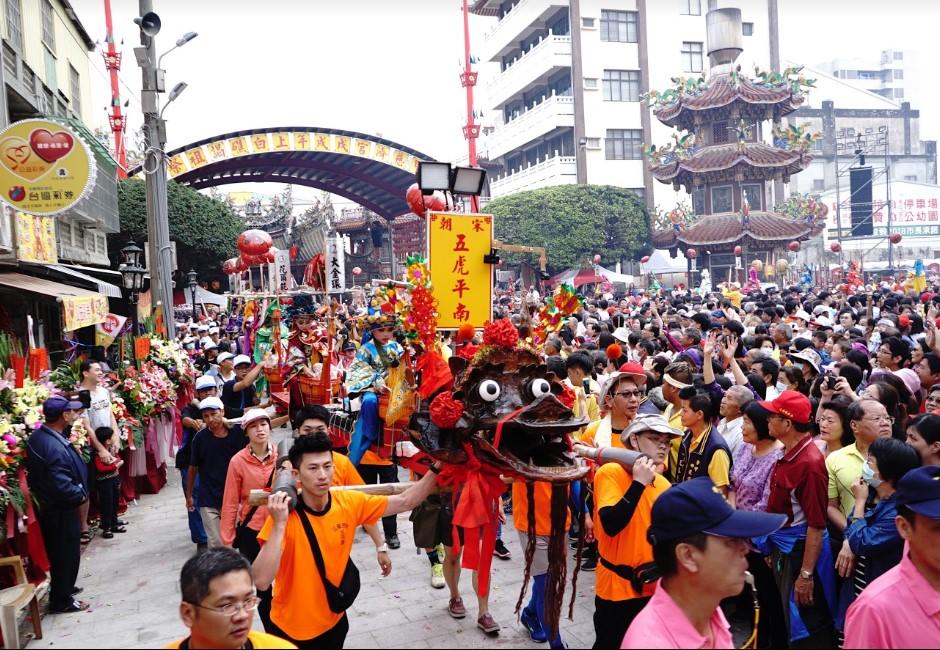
(505, 407)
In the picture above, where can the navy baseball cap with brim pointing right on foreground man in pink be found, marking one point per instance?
(697, 506)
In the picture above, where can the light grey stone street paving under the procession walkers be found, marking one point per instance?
(132, 584)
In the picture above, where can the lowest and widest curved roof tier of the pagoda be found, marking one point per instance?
(731, 227)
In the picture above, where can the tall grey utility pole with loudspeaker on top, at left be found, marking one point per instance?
(158, 227)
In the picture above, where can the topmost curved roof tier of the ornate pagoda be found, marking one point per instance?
(713, 99)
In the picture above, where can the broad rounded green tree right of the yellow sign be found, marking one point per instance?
(574, 222)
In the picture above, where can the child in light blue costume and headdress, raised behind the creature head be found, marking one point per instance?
(366, 378)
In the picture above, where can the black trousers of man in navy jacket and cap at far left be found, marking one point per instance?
(61, 531)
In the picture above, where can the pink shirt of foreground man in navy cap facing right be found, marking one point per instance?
(661, 624)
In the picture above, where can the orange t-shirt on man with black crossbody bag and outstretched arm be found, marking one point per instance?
(300, 607)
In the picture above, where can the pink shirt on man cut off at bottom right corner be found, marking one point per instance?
(898, 610)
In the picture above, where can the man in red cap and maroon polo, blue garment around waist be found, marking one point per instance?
(800, 557)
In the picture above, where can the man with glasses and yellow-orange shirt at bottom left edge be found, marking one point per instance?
(219, 602)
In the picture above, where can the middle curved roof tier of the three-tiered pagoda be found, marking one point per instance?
(724, 162)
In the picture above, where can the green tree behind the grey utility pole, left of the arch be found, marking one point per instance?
(203, 228)
